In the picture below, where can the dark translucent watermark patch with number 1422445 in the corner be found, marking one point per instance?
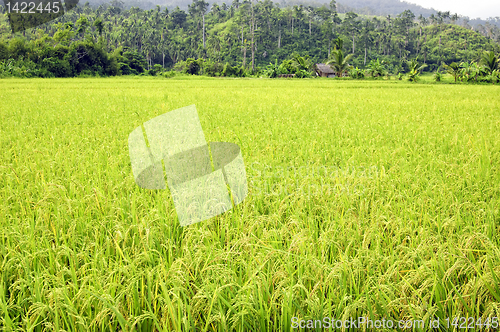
(25, 14)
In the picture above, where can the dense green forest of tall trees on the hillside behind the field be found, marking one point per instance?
(247, 36)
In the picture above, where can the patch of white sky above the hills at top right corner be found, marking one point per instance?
(473, 9)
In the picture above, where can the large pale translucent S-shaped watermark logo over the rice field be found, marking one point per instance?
(205, 180)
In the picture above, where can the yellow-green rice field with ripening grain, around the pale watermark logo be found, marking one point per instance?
(366, 199)
